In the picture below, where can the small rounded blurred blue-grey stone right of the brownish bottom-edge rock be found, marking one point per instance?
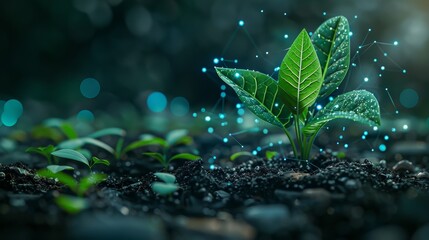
(268, 218)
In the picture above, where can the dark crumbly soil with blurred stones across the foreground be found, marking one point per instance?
(282, 198)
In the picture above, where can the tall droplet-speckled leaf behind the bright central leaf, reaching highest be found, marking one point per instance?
(332, 43)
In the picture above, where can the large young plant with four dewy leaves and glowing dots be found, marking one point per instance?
(311, 70)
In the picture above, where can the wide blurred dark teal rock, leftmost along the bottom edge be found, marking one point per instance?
(108, 226)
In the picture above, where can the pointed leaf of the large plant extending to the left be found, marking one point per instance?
(259, 92)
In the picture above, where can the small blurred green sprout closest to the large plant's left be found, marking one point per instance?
(173, 138)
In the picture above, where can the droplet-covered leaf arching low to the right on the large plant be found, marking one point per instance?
(360, 106)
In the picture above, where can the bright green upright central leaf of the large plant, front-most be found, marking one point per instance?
(300, 75)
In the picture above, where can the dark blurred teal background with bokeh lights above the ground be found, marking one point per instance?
(93, 54)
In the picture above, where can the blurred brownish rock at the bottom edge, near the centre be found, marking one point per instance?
(212, 229)
